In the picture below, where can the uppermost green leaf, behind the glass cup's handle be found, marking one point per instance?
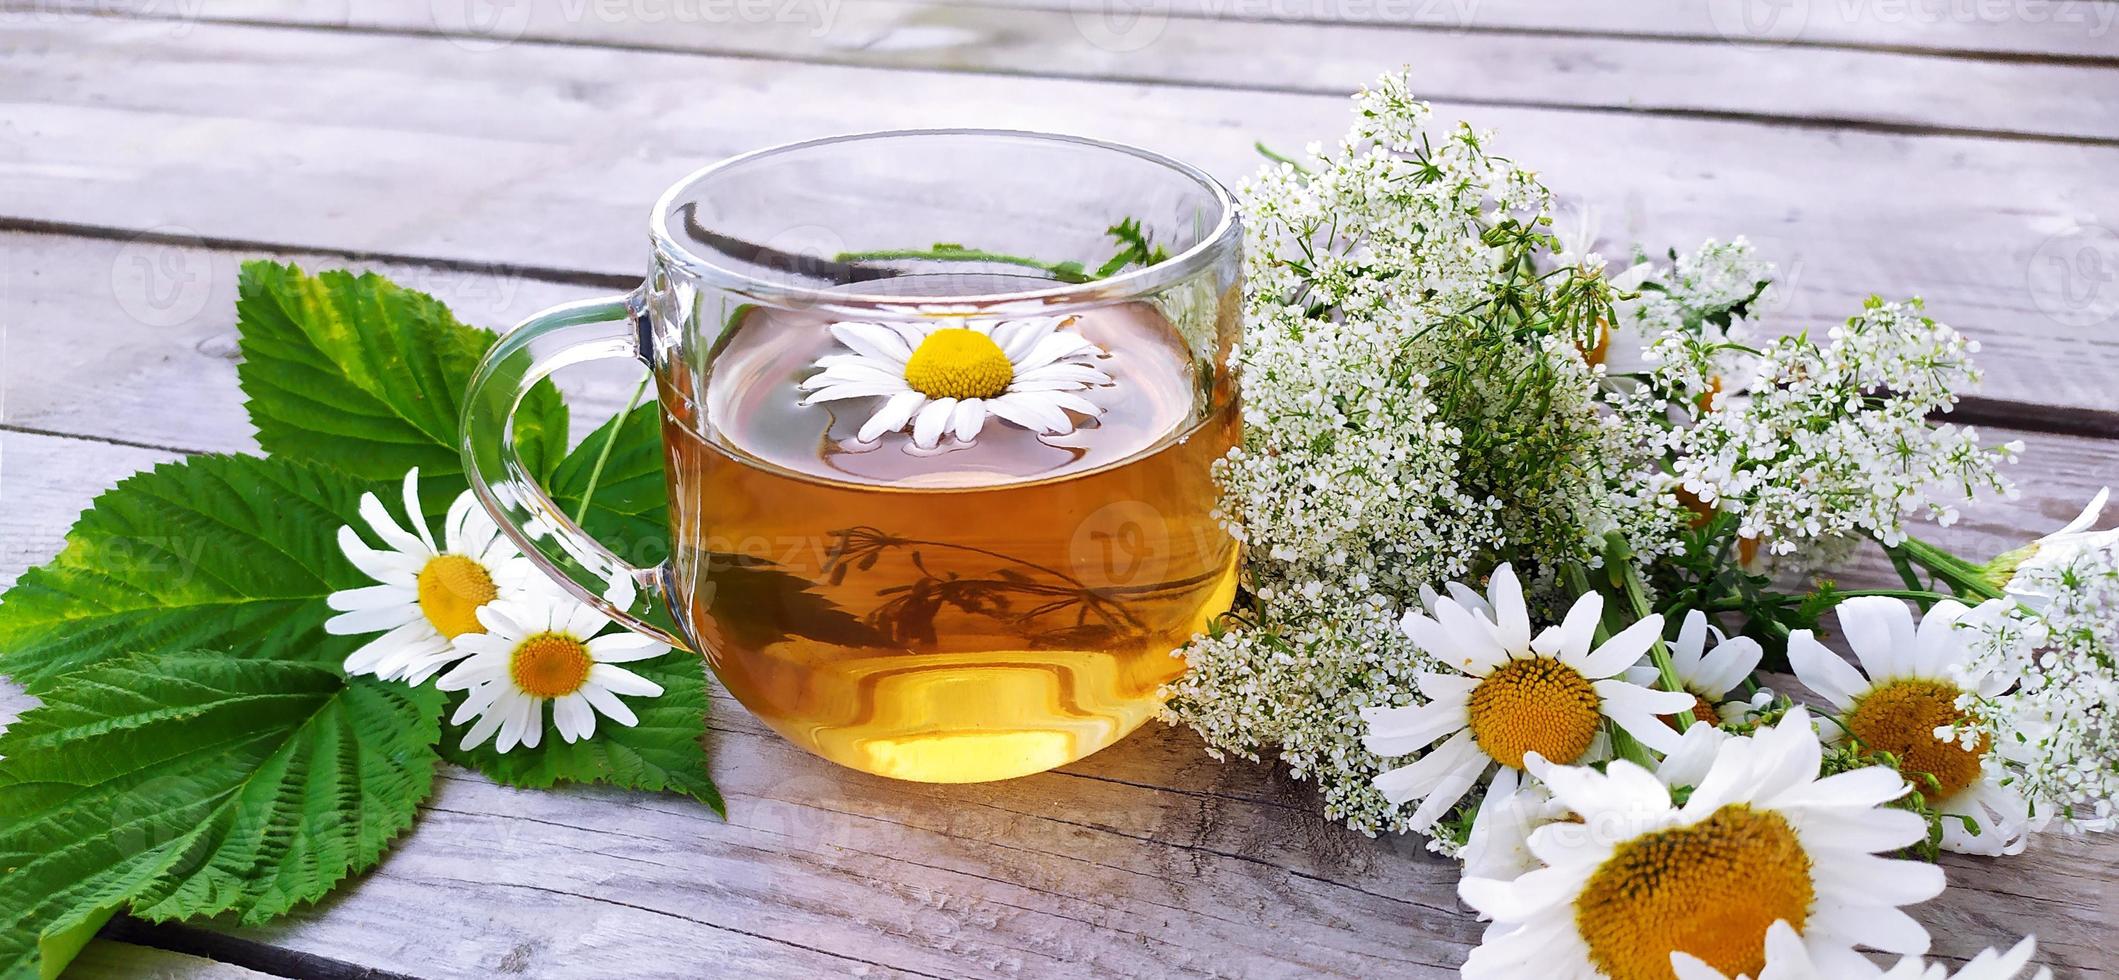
(368, 377)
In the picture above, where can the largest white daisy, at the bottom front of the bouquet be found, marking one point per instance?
(1760, 839)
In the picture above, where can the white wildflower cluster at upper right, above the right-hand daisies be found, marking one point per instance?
(1832, 440)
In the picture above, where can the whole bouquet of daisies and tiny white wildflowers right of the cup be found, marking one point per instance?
(1440, 389)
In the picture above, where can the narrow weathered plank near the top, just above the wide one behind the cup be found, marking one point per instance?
(1815, 86)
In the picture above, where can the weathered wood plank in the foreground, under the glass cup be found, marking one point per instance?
(1143, 860)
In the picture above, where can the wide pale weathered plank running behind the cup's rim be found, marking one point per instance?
(544, 162)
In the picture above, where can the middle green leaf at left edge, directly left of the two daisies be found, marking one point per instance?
(213, 553)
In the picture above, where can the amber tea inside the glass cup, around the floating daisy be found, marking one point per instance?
(957, 616)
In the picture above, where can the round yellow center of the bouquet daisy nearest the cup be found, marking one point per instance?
(1535, 705)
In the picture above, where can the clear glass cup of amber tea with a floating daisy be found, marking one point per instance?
(940, 415)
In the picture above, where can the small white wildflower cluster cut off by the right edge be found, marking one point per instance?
(2063, 722)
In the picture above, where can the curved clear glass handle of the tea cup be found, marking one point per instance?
(527, 514)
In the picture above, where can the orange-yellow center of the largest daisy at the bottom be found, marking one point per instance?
(1709, 890)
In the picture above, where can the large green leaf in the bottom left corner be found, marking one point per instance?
(194, 784)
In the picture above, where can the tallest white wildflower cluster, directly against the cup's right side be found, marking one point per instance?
(1395, 434)
